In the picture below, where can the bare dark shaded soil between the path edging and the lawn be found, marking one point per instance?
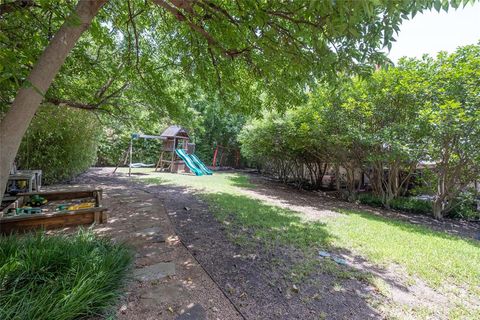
(258, 280)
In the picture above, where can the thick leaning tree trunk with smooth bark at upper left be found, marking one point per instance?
(30, 95)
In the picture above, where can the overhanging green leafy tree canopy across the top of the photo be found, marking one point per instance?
(156, 54)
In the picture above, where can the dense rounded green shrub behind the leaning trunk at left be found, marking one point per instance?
(60, 141)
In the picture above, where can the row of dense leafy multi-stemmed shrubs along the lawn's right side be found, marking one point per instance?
(422, 111)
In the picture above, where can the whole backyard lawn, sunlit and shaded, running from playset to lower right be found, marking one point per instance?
(376, 249)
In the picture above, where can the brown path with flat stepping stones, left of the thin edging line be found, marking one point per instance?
(167, 282)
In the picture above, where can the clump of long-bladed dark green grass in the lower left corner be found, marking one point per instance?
(58, 277)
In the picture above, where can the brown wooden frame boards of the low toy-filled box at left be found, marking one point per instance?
(54, 219)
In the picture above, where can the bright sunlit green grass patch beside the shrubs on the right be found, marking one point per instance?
(433, 256)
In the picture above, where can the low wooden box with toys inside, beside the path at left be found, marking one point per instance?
(61, 209)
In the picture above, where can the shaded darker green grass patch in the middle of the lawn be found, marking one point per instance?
(249, 219)
